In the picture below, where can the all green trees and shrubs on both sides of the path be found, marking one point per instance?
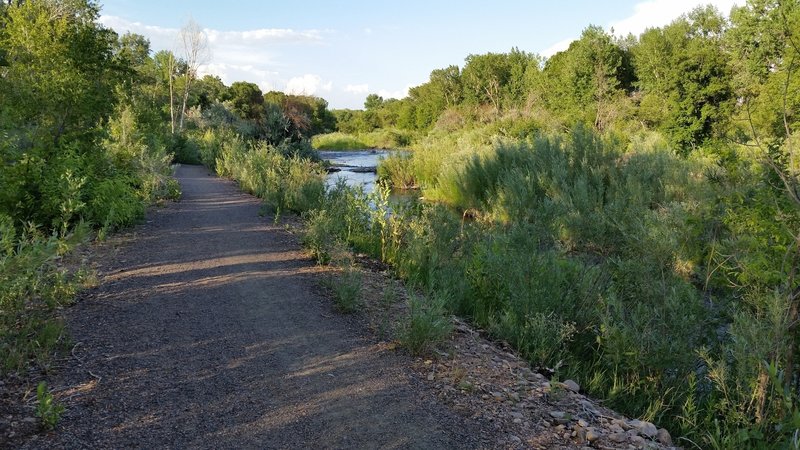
(625, 212)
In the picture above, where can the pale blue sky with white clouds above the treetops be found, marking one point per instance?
(344, 50)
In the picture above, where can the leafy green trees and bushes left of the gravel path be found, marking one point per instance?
(90, 124)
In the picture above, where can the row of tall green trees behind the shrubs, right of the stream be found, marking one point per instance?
(700, 78)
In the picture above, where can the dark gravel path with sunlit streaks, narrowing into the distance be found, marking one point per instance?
(207, 330)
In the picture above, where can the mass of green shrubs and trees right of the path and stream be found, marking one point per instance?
(625, 212)
